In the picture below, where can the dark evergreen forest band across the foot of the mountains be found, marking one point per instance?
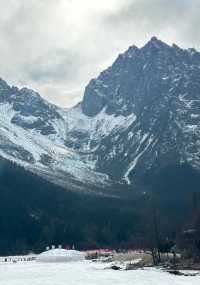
(35, 213)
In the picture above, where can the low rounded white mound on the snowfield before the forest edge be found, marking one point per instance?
(60, 255)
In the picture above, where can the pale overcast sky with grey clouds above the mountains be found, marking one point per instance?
(56, 46)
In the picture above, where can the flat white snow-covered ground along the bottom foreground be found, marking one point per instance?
(85, 273)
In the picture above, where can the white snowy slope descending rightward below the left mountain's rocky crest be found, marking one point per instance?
(41, 151)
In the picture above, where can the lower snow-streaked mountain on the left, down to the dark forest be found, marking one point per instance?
(33, 134)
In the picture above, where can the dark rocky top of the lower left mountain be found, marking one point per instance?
(32, 112)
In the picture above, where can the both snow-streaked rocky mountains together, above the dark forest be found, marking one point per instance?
(138, 116)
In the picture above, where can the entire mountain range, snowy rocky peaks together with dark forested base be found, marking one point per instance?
(135, 138)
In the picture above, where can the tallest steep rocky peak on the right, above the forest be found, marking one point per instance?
(152, 97)
